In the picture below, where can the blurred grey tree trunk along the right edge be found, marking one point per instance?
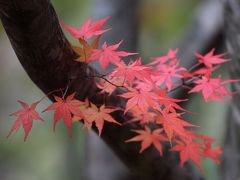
(231, 160)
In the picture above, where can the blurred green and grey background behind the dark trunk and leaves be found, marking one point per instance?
(149, 27)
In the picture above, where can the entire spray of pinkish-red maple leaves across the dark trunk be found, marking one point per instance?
(145, 88)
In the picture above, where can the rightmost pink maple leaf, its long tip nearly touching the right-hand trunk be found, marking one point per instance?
(212, 88)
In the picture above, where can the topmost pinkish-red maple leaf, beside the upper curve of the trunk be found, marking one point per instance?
(88, 28)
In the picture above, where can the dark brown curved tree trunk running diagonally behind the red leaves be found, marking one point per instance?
(33, 29)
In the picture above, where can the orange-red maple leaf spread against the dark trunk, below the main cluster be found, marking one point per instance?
(148, 138)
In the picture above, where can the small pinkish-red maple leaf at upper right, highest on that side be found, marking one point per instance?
(210, 59)
